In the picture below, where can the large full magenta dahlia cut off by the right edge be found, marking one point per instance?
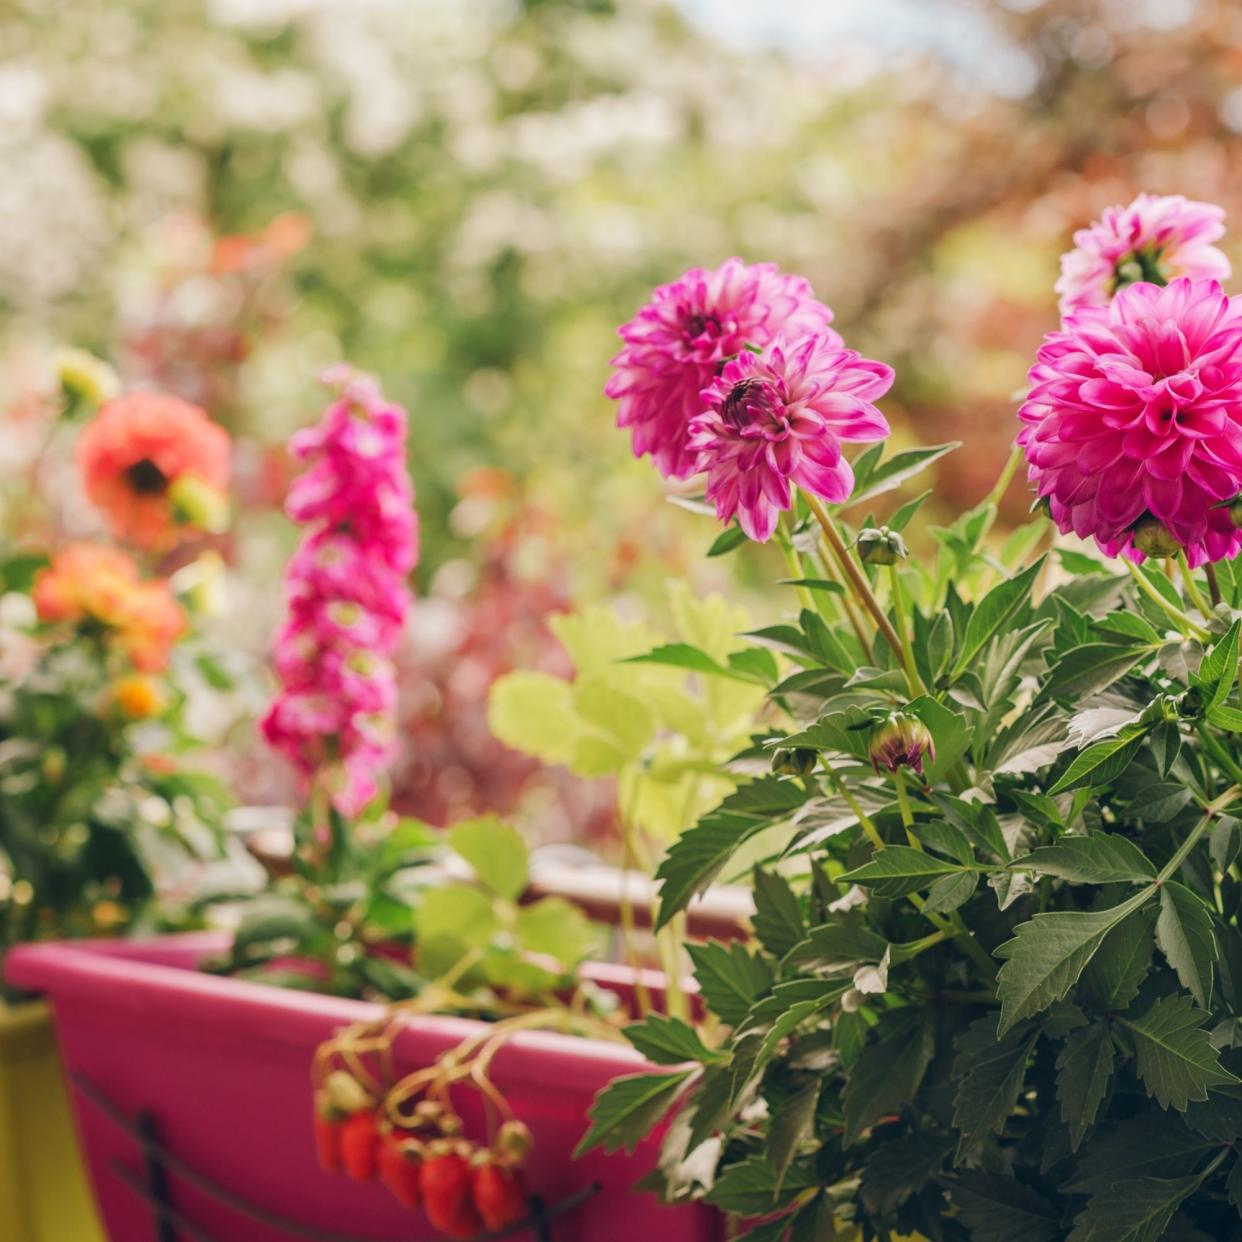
(1137, 409)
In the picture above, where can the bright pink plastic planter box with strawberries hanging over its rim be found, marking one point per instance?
(223, 1067)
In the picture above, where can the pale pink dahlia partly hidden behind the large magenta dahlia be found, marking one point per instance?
(1154, 239)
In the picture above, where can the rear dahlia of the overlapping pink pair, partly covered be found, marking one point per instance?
(678, 343)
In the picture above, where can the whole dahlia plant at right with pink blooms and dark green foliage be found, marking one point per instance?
(997, 976)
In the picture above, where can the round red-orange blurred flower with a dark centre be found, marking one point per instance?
(146, 450)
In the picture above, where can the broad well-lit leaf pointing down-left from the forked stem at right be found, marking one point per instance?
(1048, 954)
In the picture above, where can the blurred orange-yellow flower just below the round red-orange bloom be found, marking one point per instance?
(90, 583)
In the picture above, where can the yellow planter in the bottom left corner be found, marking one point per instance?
(44, 1193)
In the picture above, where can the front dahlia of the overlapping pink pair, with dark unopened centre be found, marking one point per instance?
(778, 419)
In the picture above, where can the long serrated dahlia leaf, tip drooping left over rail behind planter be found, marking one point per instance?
(696, 859)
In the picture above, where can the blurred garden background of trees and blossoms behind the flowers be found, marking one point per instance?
(466, 197)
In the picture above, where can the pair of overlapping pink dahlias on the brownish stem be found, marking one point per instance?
(736, 374)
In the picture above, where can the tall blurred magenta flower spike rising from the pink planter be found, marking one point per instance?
(346, 592)
